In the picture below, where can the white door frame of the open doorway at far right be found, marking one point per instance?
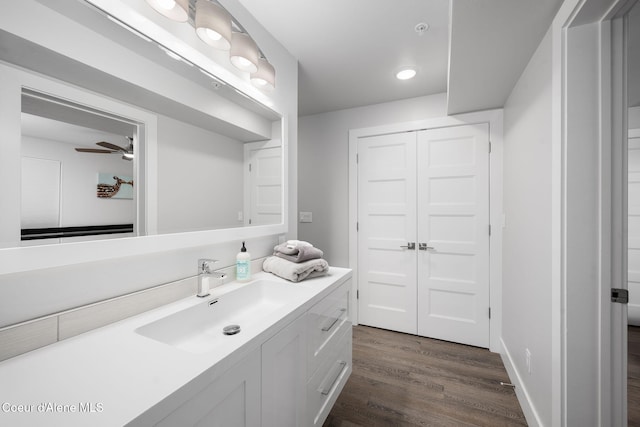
(606, 90)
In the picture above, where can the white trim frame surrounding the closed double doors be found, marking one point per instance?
(495, 120)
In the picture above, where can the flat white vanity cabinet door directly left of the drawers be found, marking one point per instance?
(284, 377)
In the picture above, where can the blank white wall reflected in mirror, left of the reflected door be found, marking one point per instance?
(201, 185)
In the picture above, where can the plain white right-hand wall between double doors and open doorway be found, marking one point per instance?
(526, 294)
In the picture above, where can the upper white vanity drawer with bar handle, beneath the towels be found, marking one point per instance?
(326, 321)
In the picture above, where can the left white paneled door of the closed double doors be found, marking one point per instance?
(386, 222)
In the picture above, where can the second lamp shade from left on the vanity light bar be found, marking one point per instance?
(213, 24)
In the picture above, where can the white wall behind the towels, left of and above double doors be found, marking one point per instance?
(323, 159)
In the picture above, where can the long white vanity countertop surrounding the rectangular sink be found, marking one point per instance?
(111, 375)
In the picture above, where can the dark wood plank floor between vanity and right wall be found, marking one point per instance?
(405, 380)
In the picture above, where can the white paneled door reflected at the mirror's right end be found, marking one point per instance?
(263, 203)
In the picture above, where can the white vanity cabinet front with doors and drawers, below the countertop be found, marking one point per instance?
(291, 378)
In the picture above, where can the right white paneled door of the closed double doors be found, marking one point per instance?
(453, 228)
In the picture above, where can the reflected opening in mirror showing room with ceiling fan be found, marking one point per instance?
(64, 149)
